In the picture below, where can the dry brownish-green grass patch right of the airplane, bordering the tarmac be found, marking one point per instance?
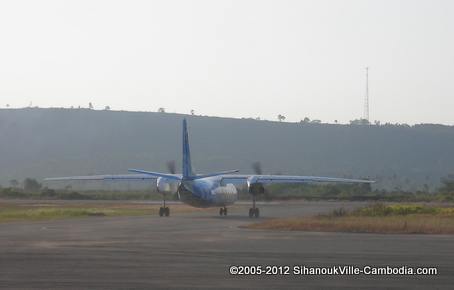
(377, 218)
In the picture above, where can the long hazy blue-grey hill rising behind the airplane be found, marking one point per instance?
(59, 142)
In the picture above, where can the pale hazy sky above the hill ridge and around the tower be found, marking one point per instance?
(233, 58)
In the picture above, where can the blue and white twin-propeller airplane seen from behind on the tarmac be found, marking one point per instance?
(208, 190)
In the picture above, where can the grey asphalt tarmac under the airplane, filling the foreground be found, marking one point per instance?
(195, 250)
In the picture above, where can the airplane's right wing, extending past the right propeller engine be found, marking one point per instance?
(268, 179)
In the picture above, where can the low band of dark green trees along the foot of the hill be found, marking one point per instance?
(32, 189)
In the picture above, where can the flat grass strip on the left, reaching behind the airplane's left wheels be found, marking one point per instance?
(42, 211)
